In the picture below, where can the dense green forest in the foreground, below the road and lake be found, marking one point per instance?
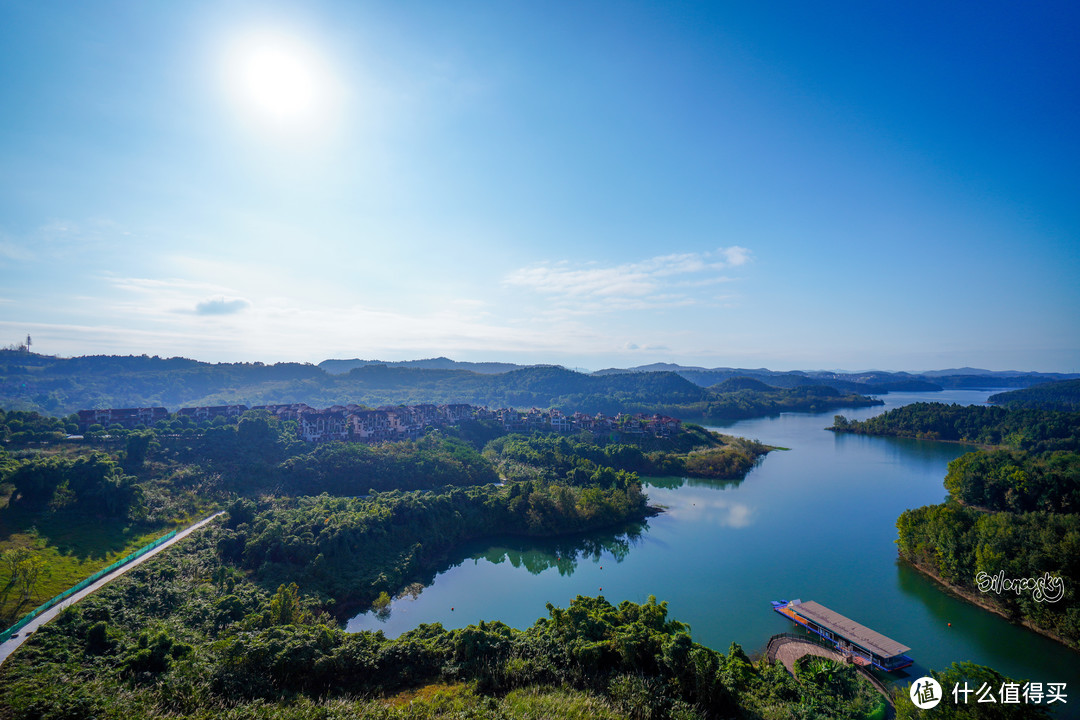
(193, 636)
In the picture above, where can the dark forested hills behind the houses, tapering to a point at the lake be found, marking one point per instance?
(63, 386)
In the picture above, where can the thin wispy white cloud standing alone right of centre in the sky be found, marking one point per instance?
(653, 283)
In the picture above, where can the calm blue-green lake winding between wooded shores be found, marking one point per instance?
(816, 522)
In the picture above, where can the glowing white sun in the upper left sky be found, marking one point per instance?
(280, 81)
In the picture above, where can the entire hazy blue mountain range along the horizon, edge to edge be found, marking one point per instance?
(57, 386)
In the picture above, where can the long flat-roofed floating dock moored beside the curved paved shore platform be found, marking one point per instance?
(865, 646)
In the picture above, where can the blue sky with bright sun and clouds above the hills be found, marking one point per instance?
(593, 184)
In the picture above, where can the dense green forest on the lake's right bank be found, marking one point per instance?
(1014, 508)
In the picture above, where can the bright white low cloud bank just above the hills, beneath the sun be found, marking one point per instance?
(171, 317)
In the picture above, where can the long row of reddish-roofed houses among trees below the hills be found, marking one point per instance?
(358, 424)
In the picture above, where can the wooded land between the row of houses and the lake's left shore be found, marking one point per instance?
(137, 482)
